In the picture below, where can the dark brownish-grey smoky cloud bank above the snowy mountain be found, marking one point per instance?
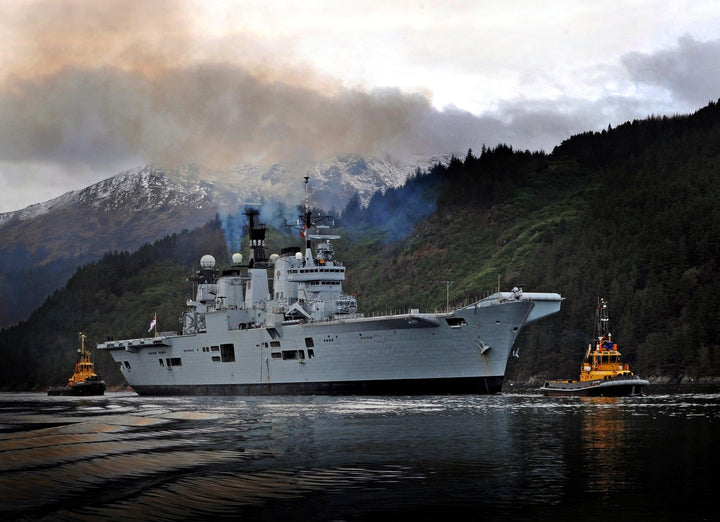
(213, 115)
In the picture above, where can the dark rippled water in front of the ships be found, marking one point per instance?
(513, 456)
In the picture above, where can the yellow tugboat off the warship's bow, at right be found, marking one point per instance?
(602, 373)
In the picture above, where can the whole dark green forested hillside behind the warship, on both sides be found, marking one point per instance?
(629, 214)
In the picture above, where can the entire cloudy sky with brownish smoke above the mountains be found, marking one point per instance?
(89, 88)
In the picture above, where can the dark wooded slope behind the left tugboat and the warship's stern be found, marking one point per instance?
(116, 296)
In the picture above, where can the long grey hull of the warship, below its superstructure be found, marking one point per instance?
(461, 352)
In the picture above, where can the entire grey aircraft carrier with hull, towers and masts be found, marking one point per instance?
(304, 335)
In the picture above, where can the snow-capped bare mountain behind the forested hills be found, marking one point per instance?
(141, 205)
